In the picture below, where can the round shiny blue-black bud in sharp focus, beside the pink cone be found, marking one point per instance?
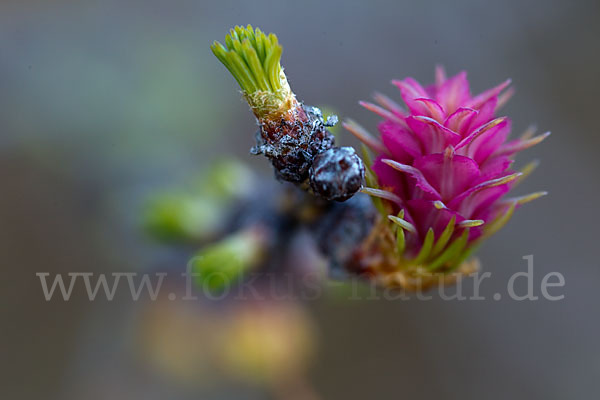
(337, 173)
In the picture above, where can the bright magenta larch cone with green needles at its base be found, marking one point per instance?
(443, 166)
